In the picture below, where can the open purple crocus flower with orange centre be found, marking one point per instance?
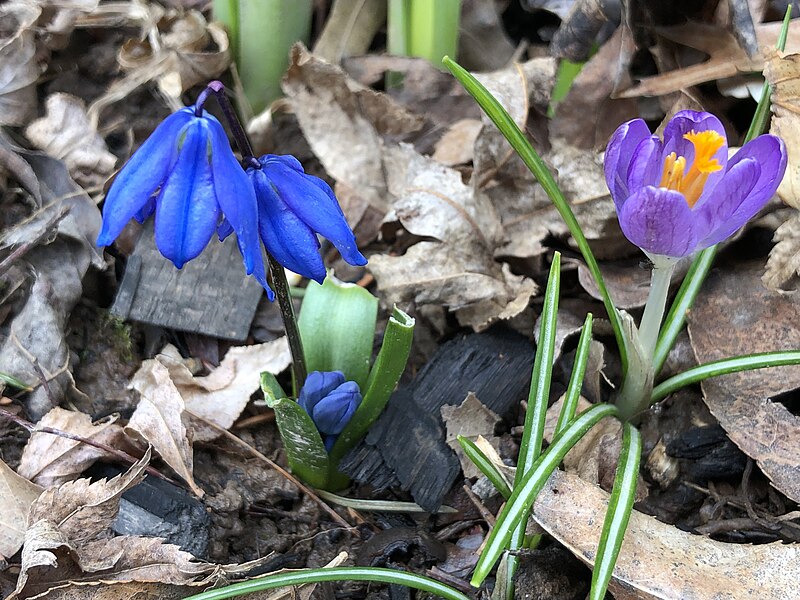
(680, 195)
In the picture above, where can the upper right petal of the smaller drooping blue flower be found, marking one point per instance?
(315, 206)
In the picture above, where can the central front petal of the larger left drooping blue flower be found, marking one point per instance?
(186, 209)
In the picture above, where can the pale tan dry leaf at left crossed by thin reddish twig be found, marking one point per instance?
(50, 460)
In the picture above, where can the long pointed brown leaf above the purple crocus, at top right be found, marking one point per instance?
(727, 59)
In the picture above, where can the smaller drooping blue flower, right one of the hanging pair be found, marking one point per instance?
(293, 208)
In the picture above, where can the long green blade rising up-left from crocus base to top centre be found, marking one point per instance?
(495, 111)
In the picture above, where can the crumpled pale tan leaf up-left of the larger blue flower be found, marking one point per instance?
(66, 133)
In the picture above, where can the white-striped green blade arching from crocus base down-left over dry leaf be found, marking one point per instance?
(523, 496)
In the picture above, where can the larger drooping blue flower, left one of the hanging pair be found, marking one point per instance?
(187, 174)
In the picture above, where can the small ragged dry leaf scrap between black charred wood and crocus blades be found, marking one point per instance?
(472, 419)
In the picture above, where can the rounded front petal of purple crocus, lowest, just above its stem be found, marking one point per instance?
(659, 221)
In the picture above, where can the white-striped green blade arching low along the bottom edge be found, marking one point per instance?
(301, 577)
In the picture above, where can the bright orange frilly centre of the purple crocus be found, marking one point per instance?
(692, 182)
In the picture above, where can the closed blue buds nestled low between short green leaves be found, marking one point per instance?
(330, 401)
